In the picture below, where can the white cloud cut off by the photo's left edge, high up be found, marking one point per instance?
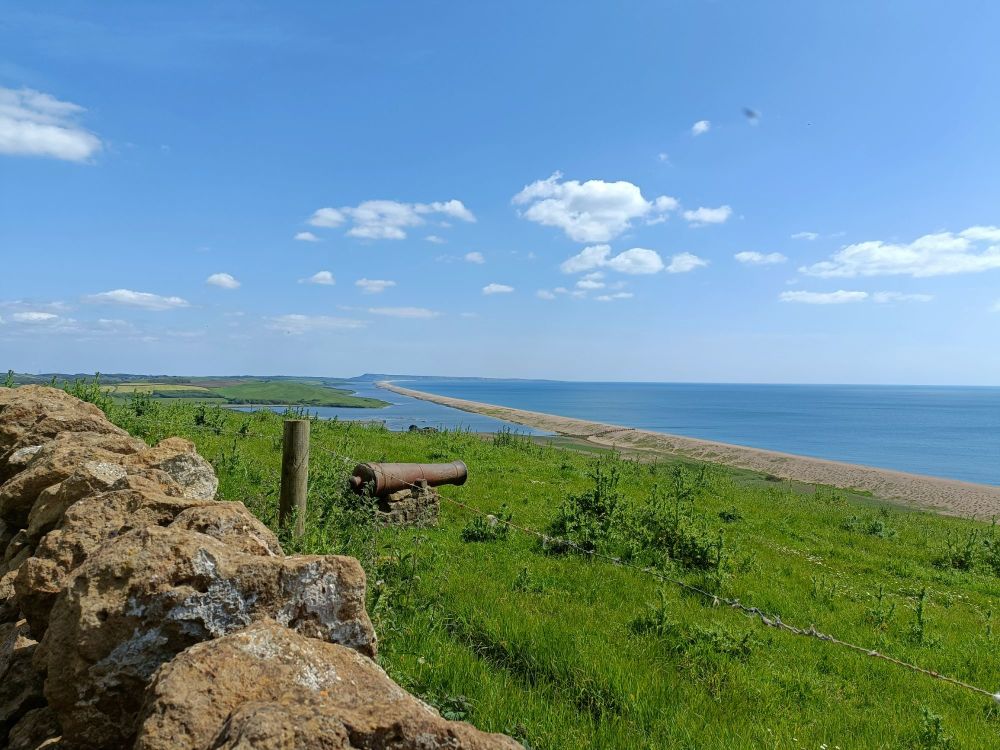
(37, 124)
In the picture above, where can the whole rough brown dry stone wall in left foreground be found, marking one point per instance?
(138, 611)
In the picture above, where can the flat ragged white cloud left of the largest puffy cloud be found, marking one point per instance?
(387, 220)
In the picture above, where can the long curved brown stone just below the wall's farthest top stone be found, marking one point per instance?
(54, 462)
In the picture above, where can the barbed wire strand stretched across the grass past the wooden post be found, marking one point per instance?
(715, 600)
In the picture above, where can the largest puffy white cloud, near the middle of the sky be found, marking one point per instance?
(591, 211)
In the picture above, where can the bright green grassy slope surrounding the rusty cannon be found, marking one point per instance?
(563, 651)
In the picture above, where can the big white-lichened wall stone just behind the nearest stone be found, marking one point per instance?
(150, 593)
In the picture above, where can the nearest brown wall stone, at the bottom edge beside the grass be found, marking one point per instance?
(268, 687)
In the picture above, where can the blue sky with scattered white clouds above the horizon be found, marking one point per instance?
(650, 191)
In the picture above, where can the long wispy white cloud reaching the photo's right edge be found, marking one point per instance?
(940, 254)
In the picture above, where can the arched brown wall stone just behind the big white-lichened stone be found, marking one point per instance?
(85, 526)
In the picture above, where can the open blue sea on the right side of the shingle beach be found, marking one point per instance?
(945, 431)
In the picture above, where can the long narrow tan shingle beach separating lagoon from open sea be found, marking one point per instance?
(948, 496)
